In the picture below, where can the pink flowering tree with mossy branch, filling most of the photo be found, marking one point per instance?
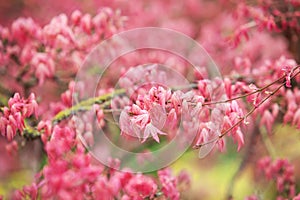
(75, 86)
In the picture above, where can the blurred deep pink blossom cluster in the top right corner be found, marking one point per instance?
(265, 14)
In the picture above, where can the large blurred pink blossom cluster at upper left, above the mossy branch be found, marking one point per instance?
(59, 45)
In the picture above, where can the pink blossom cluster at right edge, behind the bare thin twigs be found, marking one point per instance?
(273, 73)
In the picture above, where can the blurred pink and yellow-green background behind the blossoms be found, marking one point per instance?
(217, 176)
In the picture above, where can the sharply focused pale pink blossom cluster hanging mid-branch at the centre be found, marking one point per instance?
(159, 111)
